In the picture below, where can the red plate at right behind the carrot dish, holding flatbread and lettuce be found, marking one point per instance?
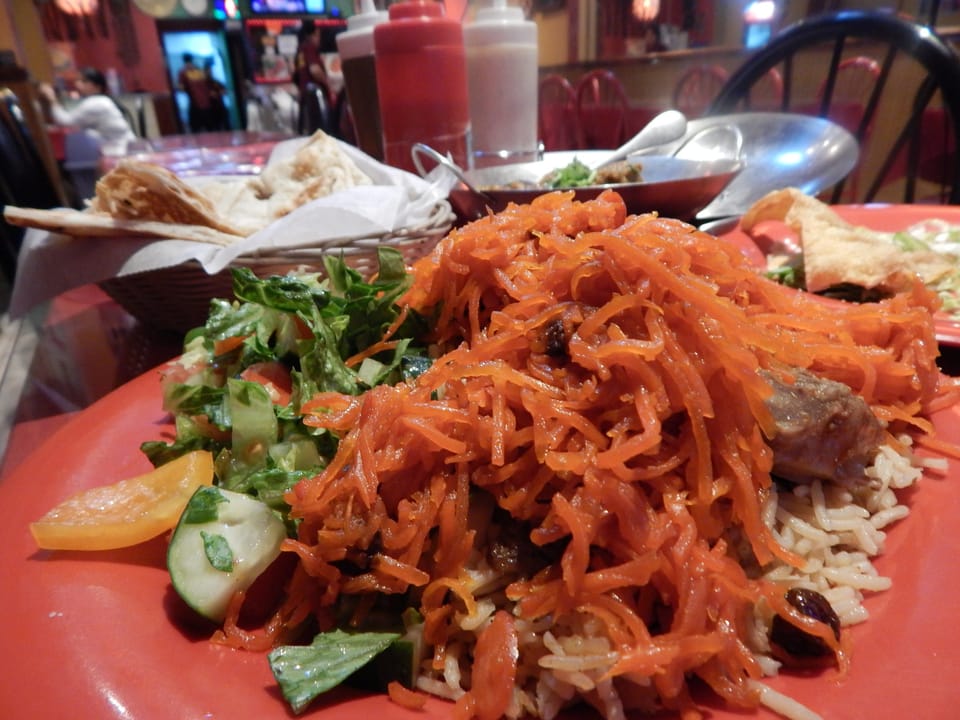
(888, 218)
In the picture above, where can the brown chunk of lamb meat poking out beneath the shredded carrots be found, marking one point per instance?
(825, 431)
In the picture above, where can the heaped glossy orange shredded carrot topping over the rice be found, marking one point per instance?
(600, 384)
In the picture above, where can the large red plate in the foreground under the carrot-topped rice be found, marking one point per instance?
(92, 636)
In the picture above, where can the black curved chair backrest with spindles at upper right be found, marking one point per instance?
(917, 87)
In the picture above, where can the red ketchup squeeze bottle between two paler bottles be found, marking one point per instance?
(422, 83)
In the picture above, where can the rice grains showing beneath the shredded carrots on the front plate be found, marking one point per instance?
(838, 530)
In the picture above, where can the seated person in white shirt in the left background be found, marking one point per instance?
(96, 112)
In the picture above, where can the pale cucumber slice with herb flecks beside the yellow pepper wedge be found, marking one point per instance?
(222, 543)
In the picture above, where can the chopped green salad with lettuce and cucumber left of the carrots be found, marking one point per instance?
(237, 391)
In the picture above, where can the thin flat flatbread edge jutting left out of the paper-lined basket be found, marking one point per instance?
(79, 223)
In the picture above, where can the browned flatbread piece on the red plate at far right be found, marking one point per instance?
(836, 252)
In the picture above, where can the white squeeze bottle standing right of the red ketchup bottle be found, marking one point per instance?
(501, 48)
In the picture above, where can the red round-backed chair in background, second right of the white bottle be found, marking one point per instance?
(602, 109)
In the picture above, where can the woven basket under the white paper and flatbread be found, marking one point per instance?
(177, 299)
